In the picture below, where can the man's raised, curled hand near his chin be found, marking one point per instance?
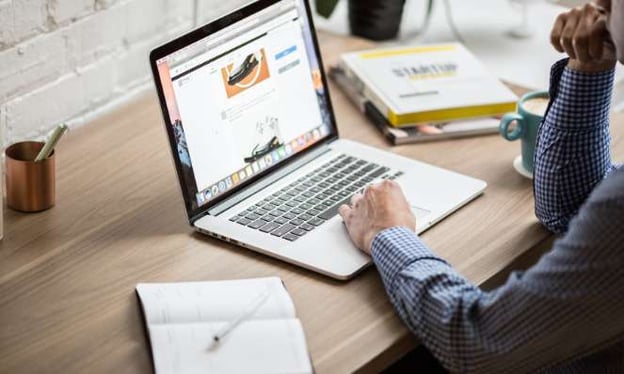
(582, 34)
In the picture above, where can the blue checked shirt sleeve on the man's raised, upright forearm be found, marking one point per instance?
(573, 147)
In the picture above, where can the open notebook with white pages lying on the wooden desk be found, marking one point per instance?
(182, 319)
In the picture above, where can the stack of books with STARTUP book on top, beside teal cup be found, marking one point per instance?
(424, 93)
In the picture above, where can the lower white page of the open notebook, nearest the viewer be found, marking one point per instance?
(257, 346)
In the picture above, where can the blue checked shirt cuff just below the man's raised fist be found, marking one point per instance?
(579, 99)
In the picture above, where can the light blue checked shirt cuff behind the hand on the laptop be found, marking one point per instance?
(396, 248)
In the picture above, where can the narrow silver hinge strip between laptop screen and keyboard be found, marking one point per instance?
(267, 181)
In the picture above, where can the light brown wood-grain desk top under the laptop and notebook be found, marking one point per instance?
(67, 275)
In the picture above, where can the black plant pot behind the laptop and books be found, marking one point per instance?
(375, 19)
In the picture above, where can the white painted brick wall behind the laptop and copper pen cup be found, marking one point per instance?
(69, 60)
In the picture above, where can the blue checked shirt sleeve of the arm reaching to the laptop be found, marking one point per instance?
(524, 325)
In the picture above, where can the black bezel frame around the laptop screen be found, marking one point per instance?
(193, 210)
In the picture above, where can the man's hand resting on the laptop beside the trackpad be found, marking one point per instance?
(382, 206)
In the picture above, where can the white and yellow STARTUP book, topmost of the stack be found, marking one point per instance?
(427, 83)
